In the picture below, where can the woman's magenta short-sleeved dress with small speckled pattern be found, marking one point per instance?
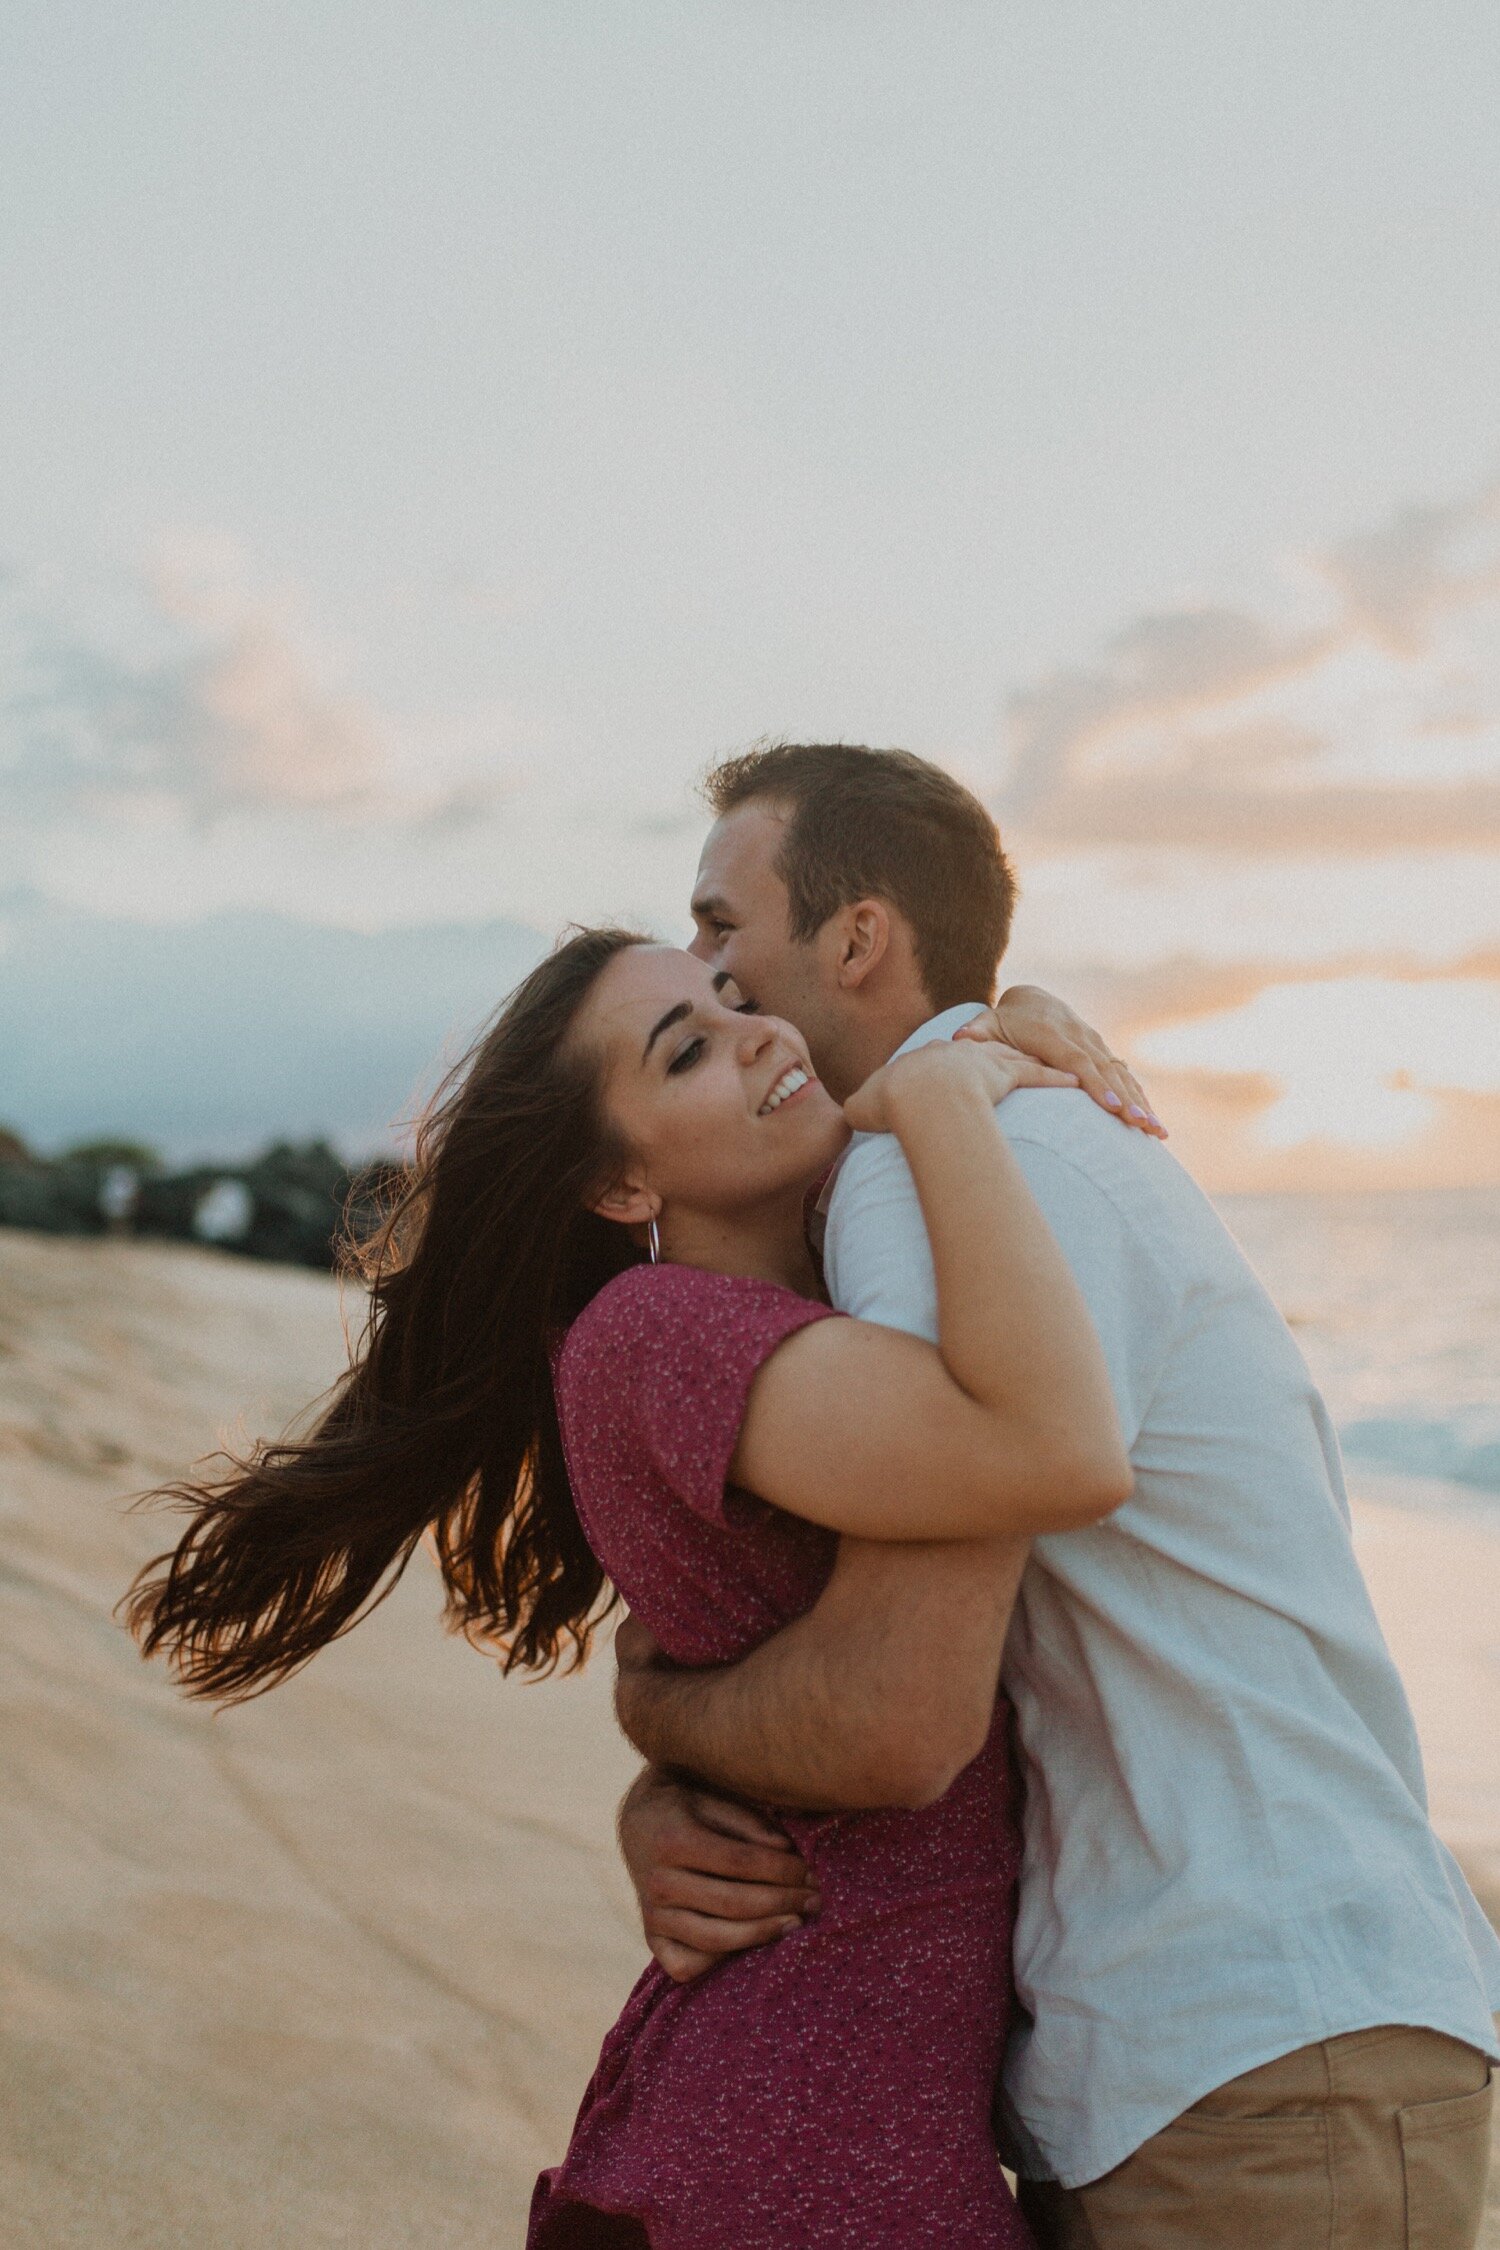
(829, 2091)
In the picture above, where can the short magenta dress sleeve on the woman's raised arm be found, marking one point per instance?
(660, 1367)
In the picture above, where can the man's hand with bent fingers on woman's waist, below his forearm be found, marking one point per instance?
(712, 1875)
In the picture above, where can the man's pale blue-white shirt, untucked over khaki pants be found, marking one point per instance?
(1227, 1835)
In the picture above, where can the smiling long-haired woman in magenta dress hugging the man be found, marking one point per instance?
(554, 1407)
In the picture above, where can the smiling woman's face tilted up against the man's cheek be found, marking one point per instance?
(721, 1110)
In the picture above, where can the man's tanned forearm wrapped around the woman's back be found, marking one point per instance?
(880, 1695)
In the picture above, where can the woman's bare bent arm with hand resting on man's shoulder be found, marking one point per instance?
(1009, 1428)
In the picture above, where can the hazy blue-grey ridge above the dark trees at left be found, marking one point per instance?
(215, 1036)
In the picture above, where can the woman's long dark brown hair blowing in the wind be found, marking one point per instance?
(446, 1419)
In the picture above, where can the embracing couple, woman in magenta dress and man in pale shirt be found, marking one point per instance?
(1024, 1761)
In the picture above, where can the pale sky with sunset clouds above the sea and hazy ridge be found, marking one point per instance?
(437, 433)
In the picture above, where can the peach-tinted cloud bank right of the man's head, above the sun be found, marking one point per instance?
(1368, 730)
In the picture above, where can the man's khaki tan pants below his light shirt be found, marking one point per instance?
(1377, 2141)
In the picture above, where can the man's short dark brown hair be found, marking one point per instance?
(885, 825)
